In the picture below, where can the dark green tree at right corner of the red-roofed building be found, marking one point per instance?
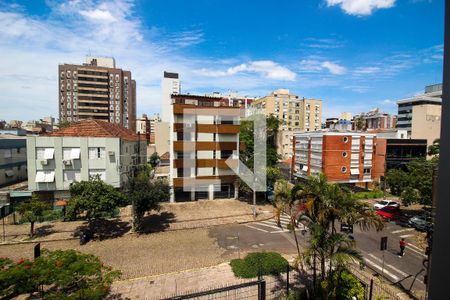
(145, 195)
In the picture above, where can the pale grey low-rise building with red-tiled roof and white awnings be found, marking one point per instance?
(80, 151)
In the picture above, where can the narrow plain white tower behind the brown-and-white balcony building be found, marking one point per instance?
(170, 85)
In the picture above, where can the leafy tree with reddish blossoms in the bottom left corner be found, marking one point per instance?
(65, 274)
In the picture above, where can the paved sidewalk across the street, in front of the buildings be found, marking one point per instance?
(172, 216)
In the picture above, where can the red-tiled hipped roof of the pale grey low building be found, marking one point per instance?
(96, 128)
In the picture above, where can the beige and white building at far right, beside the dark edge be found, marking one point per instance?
(421, 115)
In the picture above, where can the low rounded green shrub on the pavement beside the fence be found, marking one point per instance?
(264, 263)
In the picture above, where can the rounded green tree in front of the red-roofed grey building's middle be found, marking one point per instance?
(95, 198)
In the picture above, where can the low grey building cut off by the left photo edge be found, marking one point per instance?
(13, 159)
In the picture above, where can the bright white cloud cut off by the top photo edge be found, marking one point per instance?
(361, 7)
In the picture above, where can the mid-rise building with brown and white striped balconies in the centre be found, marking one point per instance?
(205, 133)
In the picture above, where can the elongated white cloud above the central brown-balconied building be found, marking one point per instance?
(266, 68)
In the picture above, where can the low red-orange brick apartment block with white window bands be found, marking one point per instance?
(343, 157)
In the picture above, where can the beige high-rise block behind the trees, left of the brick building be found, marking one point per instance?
(297, 114)
